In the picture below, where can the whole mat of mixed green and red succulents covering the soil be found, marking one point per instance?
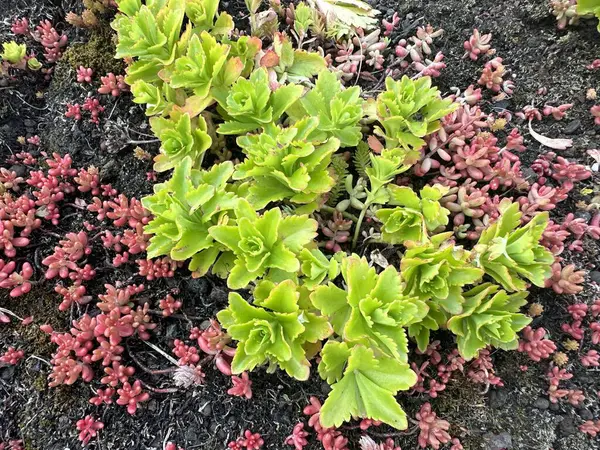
(298, 202)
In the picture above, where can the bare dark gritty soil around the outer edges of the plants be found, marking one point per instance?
(513, 417)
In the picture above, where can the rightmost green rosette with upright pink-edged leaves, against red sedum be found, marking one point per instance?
(510, 253)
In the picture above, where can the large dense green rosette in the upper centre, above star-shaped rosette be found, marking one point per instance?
(284, 163)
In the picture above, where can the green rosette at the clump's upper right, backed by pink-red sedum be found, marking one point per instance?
(408, 110)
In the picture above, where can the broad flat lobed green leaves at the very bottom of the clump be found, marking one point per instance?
(365, 385)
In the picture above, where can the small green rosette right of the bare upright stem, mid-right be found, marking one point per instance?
(414, 217)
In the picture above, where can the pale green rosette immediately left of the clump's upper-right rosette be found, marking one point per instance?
(338, 110)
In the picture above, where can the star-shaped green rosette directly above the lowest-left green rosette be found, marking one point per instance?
(263, 243)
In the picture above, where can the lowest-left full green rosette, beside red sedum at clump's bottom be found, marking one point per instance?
(274, 330)
